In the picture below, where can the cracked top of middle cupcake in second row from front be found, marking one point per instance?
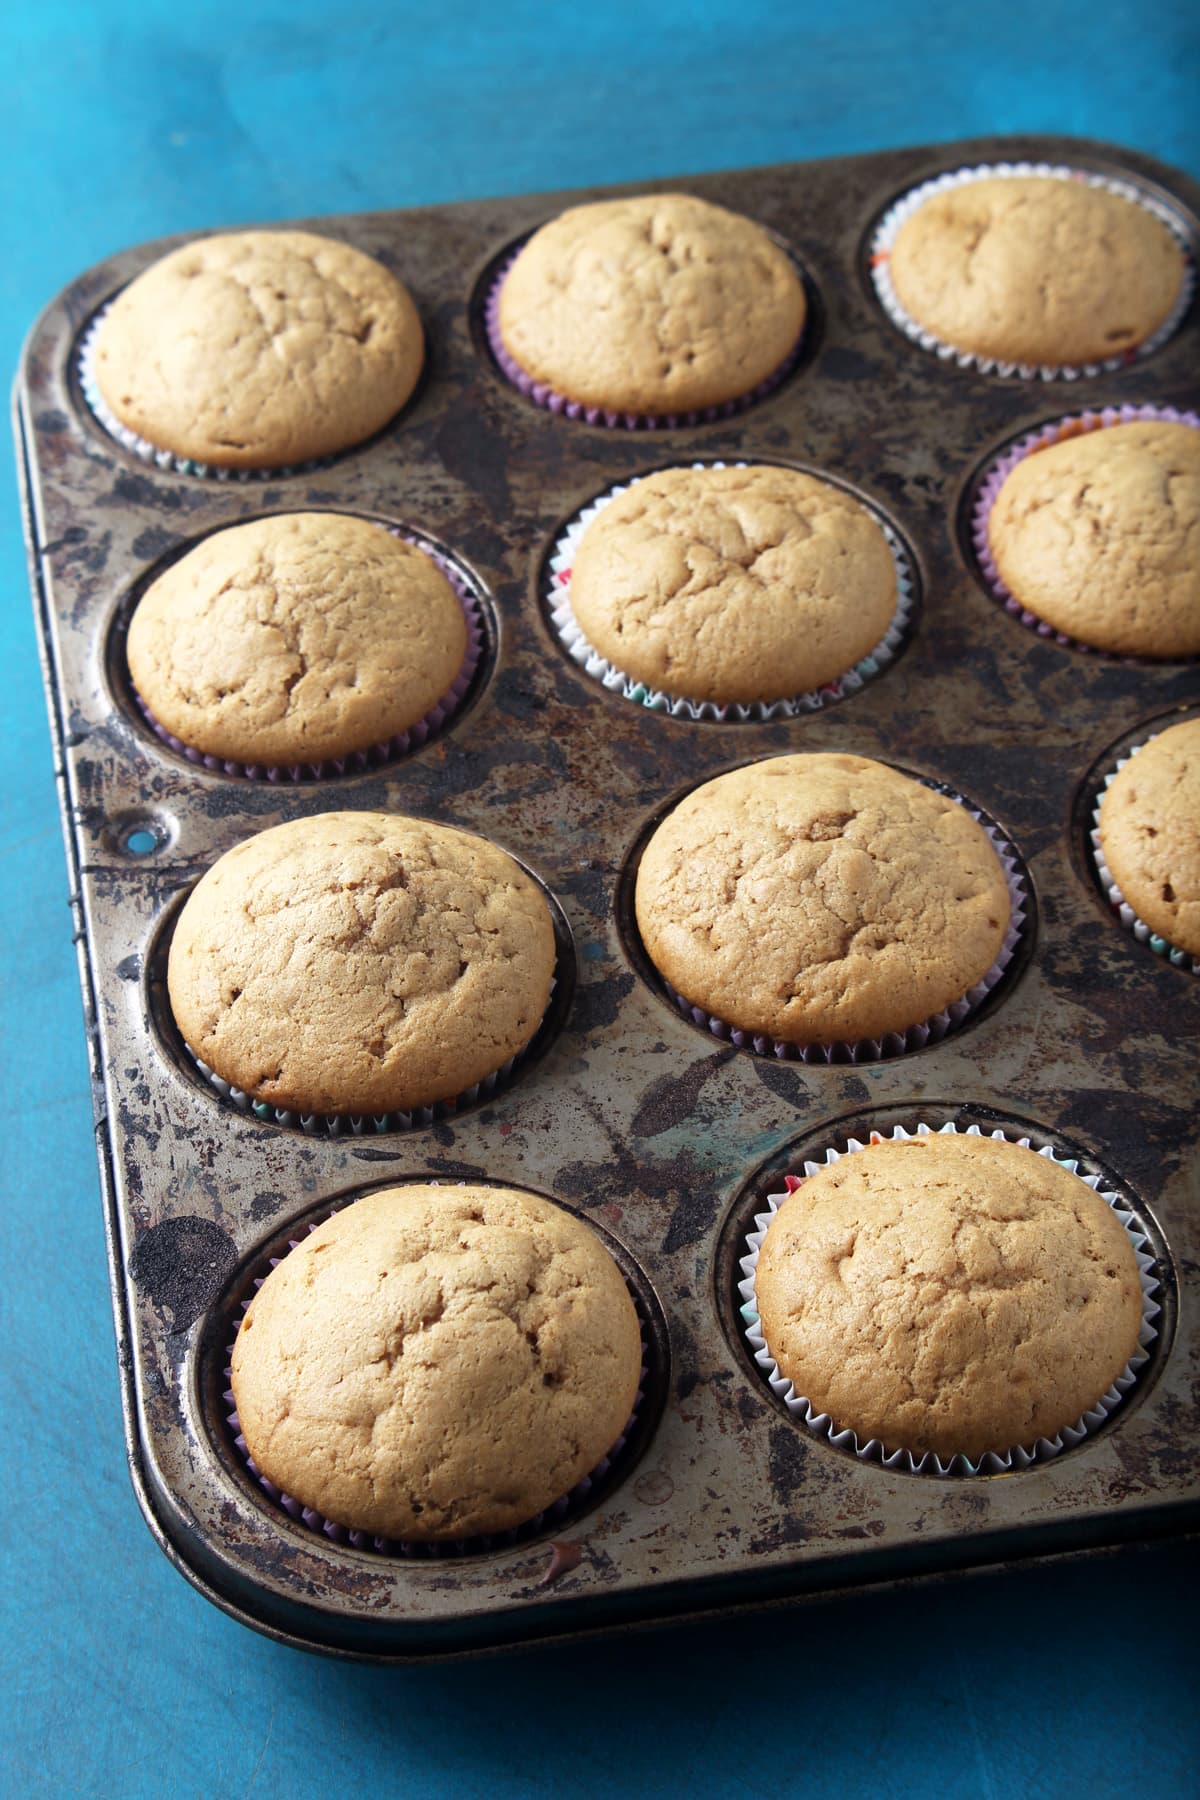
(821, 899)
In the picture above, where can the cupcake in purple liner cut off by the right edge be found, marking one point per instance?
(1097, 535)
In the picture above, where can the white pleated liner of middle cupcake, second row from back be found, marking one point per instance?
(757, 712)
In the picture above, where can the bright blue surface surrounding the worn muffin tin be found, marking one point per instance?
(125, 121)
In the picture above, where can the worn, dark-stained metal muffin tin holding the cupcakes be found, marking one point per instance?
(631, 1113)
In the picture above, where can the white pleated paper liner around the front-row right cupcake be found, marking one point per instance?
(1019, 1455)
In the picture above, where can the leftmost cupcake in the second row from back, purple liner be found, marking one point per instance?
(298, 640)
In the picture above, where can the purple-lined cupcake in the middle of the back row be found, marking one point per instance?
(647, 309)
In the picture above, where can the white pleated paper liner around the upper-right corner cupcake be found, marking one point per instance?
(902, 210)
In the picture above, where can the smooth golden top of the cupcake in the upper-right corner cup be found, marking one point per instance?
(1037, 271)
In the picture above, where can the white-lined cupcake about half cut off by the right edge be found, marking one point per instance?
(1149, 836)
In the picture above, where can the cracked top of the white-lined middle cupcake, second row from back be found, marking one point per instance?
(733, 584)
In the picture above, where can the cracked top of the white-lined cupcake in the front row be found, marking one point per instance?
(953, 1295)
